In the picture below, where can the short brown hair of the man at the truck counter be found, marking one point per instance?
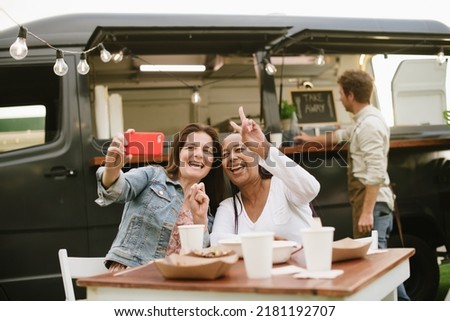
(358, 82)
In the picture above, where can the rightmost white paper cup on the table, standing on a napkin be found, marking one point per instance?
(318, 247)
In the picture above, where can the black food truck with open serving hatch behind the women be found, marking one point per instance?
(82, 78)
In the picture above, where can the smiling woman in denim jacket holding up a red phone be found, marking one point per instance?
(157, 200)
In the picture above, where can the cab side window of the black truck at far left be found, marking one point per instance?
(29, 110)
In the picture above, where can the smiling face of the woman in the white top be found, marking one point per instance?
(238, 162)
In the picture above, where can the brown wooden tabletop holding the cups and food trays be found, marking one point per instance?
(358, 274)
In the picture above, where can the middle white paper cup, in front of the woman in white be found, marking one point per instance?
(257, 252)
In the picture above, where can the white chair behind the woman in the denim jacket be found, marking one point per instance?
(77, 267)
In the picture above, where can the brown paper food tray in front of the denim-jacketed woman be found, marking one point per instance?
(177, 266)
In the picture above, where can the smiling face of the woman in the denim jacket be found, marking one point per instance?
(196, 156)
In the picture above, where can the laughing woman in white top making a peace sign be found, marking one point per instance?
(272, 192)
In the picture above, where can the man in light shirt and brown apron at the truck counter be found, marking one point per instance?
(370, 195)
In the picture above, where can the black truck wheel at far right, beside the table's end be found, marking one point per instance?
(423, 282)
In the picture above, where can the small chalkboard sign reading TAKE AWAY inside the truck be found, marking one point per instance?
(314, 106)
